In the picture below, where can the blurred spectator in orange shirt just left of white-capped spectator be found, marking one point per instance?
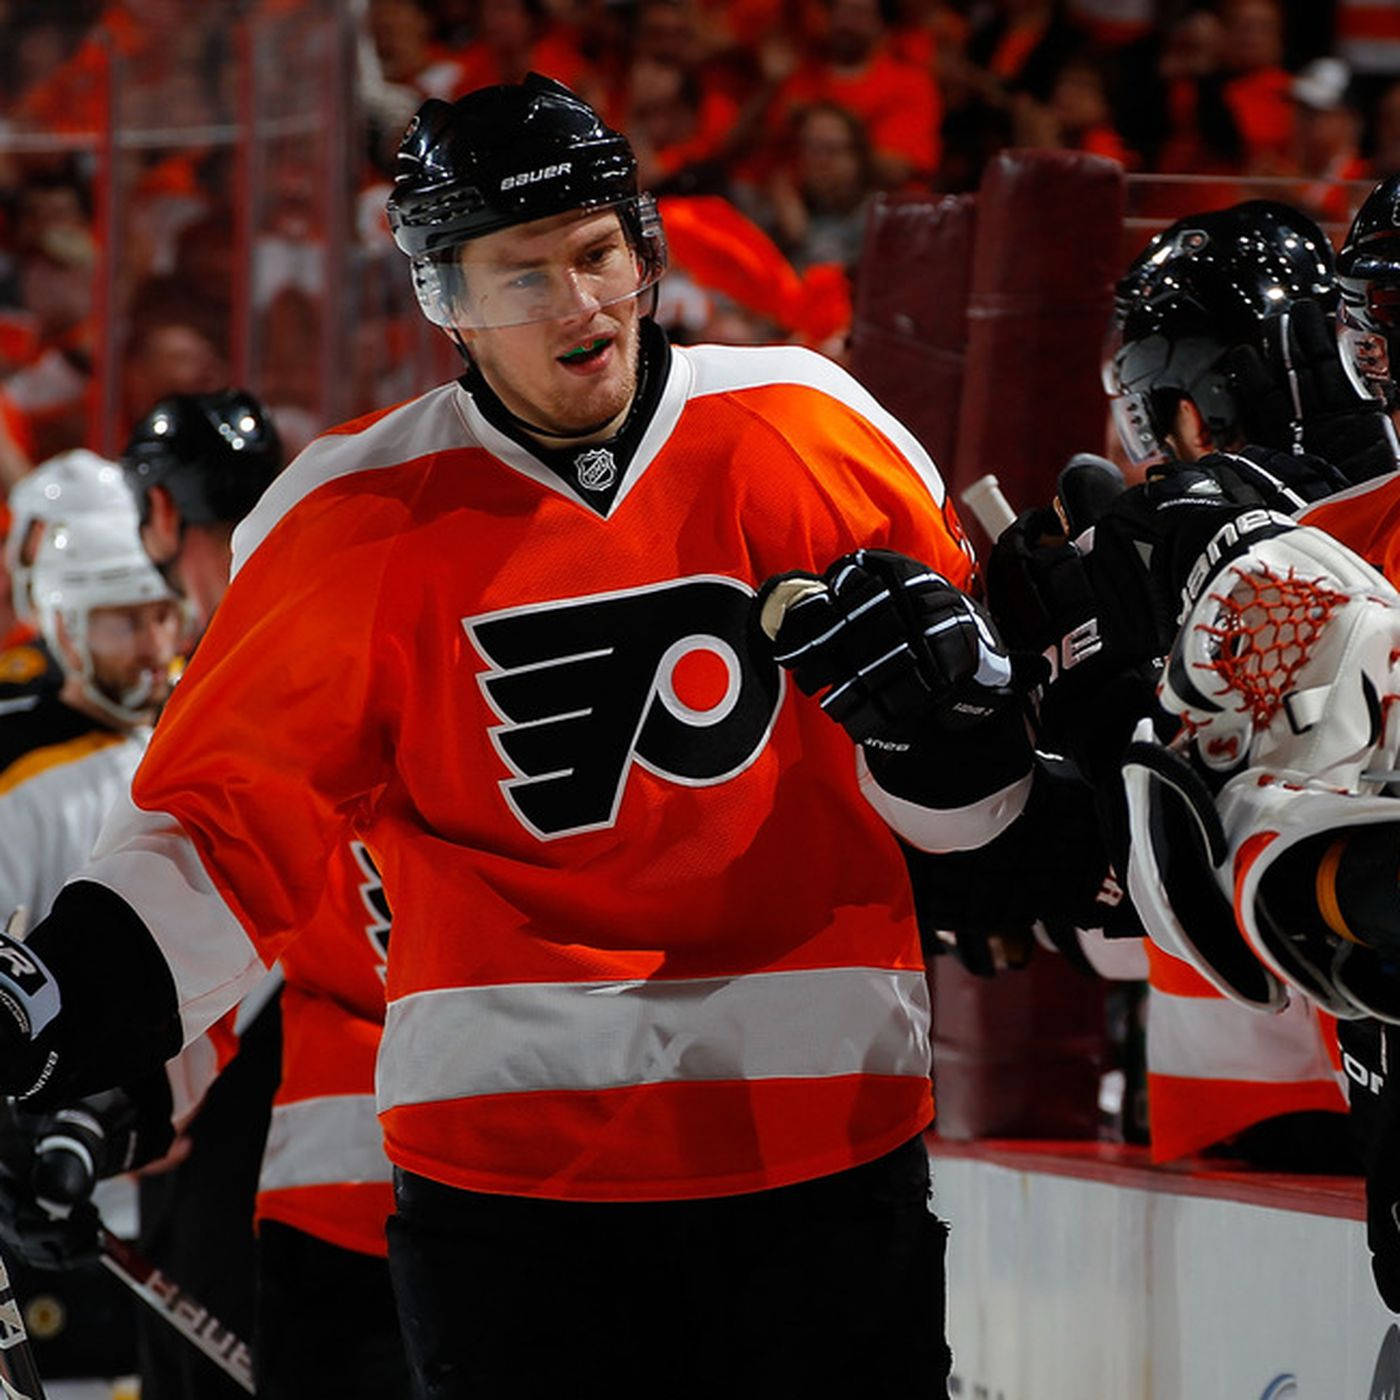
(1259, 96)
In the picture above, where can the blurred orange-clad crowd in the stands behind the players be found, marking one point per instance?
(145, 250)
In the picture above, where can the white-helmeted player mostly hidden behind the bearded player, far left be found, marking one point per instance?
(72, 484)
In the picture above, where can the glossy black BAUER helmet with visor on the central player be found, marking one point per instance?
(506, 156)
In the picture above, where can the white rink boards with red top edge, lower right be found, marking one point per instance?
(1077, 1273)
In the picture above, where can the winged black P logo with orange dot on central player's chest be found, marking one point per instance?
(584, 688)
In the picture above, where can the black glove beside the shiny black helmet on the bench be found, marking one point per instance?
(1297, 397)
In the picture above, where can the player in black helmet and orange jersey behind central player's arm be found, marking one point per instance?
(197, 465)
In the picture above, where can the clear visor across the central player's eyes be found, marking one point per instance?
(521, 278)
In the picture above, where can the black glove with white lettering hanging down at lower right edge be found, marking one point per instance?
(1368, 1051)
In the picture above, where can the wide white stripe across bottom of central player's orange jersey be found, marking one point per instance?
(593, 1037)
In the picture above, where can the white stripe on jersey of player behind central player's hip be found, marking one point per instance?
(325, 1142)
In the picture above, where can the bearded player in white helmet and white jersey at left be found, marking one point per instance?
(66, 755)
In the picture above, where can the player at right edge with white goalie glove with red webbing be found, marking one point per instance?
(1262, 846)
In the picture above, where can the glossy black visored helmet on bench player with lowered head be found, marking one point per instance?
(1202, 288)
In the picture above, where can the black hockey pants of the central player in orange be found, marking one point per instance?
(828, 1287)
